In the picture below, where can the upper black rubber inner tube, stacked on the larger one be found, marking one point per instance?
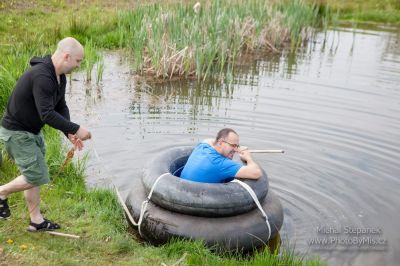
(194, 198)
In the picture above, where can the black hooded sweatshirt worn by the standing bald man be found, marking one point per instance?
(38, 99)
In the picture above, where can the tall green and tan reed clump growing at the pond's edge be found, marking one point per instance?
(181, 41)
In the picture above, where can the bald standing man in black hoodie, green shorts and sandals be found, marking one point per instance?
(38, 99)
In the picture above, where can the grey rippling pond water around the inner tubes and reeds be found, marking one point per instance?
(333, 106)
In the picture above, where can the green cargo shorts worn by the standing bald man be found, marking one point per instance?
(28, 151)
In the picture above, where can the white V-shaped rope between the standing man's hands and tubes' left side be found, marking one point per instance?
(144, 203)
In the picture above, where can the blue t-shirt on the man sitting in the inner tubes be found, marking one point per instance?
(207, 165)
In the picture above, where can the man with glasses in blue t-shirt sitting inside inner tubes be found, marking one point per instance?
(211, 160)
